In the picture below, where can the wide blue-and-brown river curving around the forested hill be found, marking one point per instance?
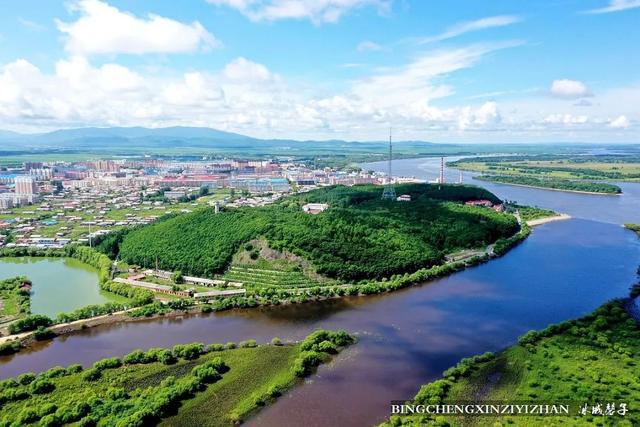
(563, 270)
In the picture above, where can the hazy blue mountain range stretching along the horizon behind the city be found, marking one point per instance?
(199, 141)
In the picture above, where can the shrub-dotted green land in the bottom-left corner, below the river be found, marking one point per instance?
(191, 384)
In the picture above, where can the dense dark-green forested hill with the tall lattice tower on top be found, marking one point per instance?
(359, 237)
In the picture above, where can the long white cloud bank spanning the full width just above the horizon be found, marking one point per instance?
(248, 97)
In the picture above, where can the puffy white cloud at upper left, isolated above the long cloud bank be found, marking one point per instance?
(103, 29)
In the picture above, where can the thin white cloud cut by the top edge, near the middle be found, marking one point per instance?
(317, 11)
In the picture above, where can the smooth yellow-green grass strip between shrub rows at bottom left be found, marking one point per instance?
(254, 371)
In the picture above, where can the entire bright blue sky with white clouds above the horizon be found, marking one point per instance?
(460, 70)
